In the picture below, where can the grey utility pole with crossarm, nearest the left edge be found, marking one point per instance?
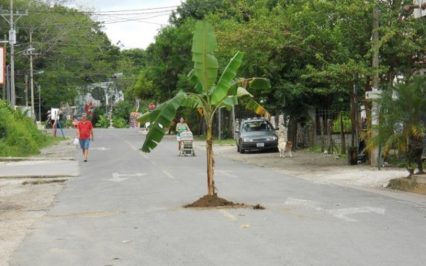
(12, 41)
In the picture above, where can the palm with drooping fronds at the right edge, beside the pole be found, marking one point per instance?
(402, 121)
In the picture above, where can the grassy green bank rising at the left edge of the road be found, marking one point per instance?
(19, 136)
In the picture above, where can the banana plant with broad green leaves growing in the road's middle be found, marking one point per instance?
(209, 94)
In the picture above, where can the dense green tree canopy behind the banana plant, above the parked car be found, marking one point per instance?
(313, 51)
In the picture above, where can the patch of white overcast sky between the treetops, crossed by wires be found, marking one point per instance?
(130, 34)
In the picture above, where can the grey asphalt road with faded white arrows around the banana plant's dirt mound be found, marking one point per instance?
(126, 209)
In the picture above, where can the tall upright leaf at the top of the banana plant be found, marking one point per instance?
(203, 47)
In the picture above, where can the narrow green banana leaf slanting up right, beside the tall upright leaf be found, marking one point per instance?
(227, 79)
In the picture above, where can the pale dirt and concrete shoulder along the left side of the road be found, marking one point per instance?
(28, 187)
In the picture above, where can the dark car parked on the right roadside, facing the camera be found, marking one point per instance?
(256, 134)
